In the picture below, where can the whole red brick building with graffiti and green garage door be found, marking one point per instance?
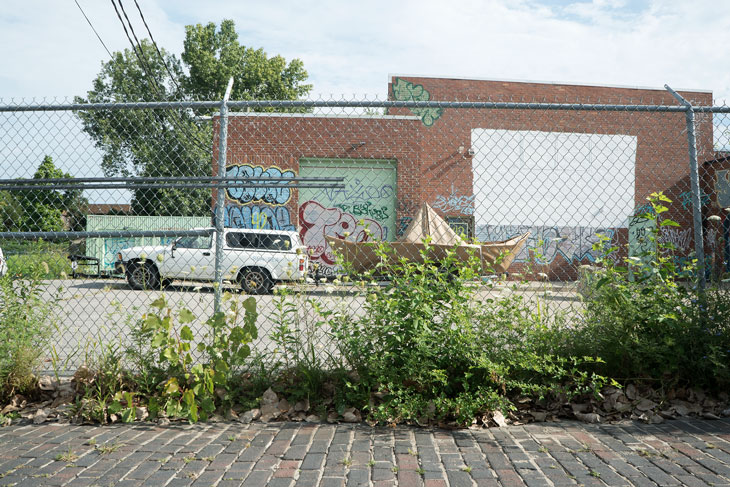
(564, 175)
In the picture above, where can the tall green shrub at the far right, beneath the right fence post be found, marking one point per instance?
(648, 324)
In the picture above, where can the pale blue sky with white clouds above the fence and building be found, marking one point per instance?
(351, 48)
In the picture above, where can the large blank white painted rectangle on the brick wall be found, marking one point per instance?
(560, 179)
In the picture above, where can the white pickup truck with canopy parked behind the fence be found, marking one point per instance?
(256, 259)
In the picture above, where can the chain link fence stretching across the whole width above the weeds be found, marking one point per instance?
(116, 203)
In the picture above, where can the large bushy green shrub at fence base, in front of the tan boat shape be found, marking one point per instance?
(426, 349)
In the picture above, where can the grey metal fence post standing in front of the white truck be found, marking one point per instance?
(220, 200)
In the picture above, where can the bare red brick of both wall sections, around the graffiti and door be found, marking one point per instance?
(433, 160)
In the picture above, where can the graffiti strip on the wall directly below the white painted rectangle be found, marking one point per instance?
(574, 244)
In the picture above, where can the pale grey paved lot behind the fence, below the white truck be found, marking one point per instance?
(101, 311)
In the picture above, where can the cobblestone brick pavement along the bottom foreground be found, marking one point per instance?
(692, 452)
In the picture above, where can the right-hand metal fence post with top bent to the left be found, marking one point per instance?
(695, 186)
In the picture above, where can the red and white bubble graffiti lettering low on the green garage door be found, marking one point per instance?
(318, 222)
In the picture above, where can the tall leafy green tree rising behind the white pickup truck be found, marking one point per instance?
(175, 142)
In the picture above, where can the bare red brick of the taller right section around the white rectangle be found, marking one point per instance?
(662, 161)
